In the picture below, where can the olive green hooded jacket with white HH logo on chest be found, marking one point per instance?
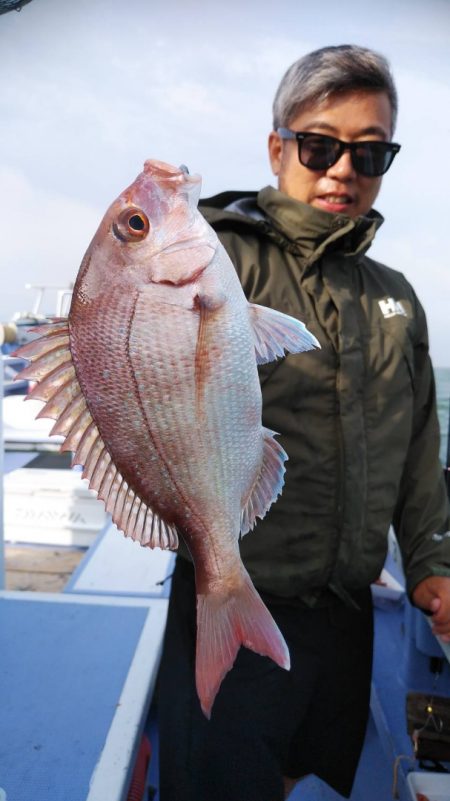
(357, 418)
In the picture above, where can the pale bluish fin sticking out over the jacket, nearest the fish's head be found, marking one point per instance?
(275, 332)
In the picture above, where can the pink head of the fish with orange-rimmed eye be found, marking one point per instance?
(152, 233)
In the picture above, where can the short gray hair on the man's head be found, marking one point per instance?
(328, 71)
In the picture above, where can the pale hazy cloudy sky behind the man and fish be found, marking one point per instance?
(90, 89)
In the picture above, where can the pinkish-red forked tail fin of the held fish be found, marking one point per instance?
(224, 623)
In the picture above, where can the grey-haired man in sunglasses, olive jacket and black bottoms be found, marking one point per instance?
(358, 421)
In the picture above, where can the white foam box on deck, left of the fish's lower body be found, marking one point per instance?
(52, 507)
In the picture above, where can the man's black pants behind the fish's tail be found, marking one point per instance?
(266, 722)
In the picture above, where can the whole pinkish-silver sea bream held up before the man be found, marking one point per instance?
(152, 380)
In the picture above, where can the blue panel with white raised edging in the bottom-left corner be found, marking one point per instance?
(77, 676)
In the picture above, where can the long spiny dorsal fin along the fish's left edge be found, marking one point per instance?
(52, 366)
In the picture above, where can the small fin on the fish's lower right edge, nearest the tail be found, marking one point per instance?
(268, 484)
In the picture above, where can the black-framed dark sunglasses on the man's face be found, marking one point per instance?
(318, 152)
